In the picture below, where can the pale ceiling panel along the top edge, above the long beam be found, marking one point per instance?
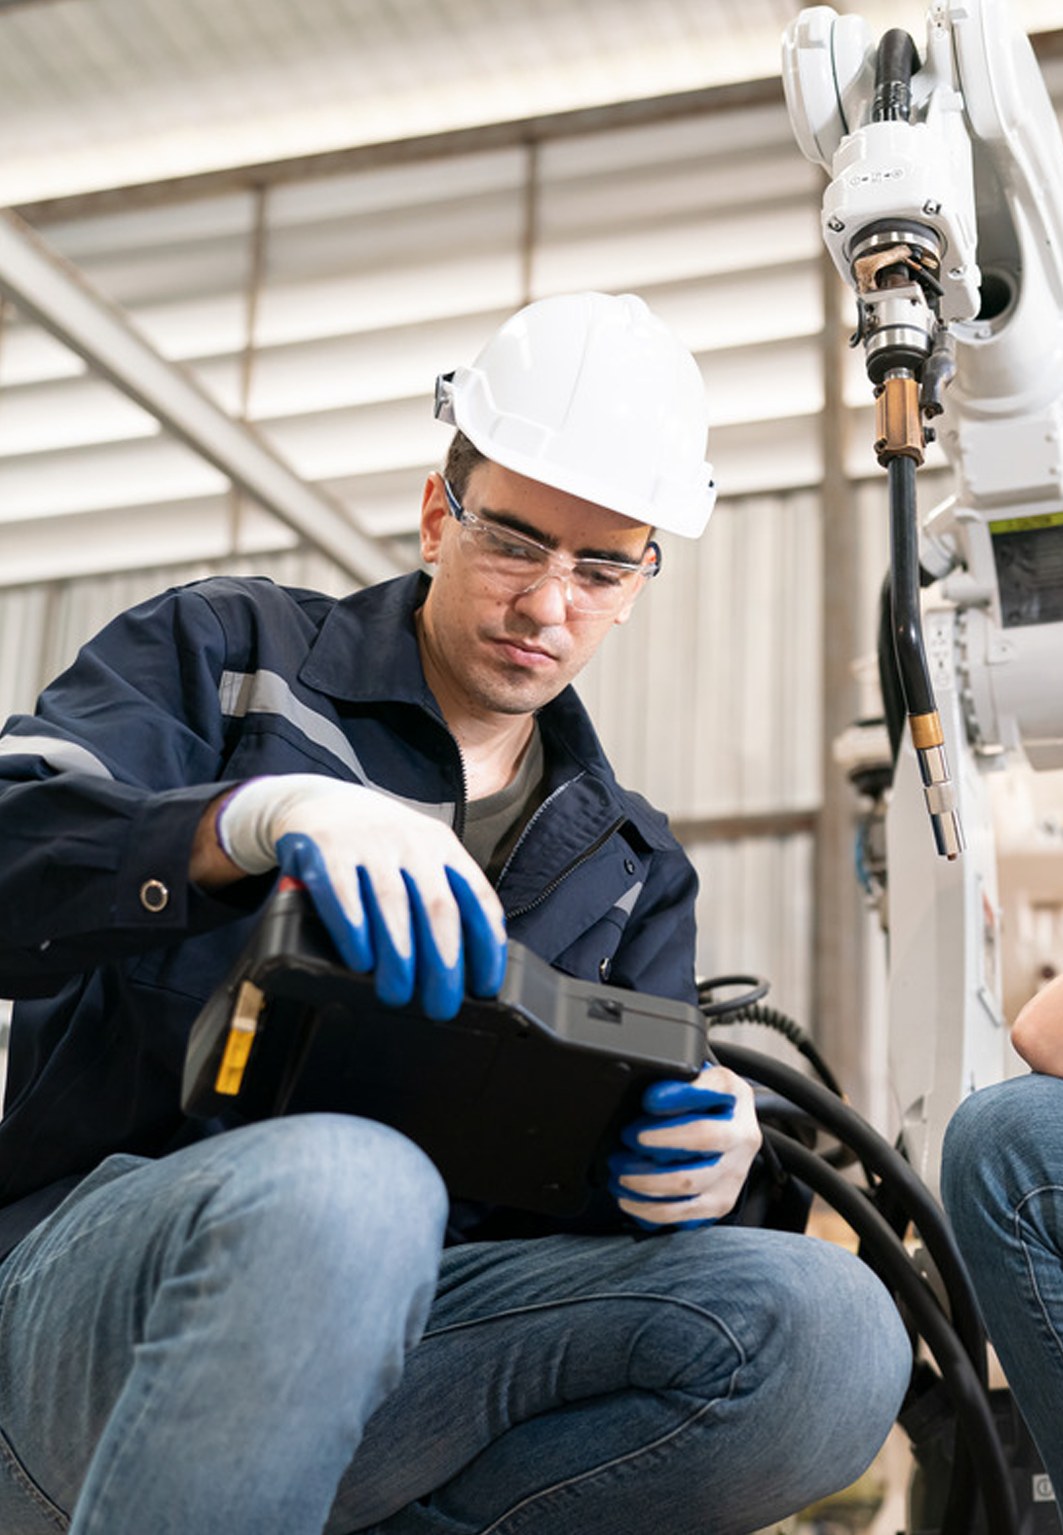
(104, 94)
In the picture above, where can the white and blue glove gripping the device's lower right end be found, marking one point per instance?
(686, 1160)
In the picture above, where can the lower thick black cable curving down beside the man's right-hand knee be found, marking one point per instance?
(986, 1462)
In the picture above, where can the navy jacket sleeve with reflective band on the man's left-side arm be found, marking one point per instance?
(100, 796)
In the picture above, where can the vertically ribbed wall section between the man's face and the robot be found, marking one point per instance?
(709, 699)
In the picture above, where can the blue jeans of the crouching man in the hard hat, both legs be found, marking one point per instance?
(260, 1336)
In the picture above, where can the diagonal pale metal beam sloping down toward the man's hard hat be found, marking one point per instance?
(59, 299)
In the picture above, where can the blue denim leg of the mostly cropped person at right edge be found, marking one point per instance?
(1002, 1184)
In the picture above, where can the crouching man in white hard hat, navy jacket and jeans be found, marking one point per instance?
(268, 1332)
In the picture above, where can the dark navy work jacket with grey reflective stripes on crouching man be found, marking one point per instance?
(111, 951)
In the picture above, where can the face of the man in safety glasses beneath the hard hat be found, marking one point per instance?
(496, 653)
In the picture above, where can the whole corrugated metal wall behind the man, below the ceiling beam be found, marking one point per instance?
(323, 311)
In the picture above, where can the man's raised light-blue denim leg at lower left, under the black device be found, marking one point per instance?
(193, 1347)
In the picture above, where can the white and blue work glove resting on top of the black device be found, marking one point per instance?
(395, 888)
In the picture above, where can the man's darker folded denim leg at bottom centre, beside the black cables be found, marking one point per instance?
(706, 1381)
